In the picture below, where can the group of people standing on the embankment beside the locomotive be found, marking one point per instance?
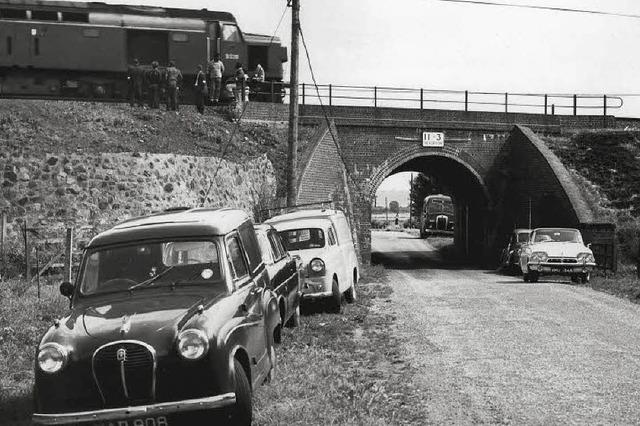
(168, 83)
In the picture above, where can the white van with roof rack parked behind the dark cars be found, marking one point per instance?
(323, 240)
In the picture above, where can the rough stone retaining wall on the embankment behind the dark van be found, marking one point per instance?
(91, 192)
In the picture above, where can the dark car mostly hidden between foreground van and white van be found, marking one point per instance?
(284, 273)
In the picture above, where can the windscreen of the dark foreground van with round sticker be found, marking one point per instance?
(121, 268)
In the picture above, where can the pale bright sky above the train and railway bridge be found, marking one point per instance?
(435, 44)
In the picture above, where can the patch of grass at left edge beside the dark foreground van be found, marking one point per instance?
(23, 320)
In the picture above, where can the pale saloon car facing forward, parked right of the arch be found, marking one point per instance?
(556, 251)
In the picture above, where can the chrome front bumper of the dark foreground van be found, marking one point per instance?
(111, 414)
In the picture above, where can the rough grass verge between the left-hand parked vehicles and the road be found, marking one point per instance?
(342, 369)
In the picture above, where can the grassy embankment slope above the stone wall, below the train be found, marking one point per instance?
(36, 127)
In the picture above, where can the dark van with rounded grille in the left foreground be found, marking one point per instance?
(171, 322)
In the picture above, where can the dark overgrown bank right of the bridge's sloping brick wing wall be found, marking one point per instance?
(606, 164)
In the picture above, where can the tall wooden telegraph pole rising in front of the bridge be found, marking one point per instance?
(292, 158)
